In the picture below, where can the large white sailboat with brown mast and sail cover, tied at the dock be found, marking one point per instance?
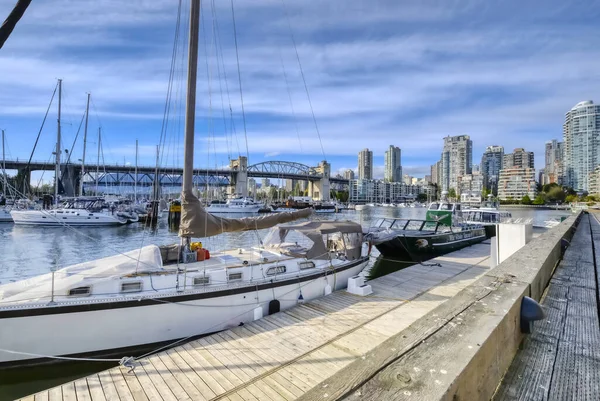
(155, 296)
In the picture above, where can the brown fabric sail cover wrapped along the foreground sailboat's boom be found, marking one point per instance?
(197, 222)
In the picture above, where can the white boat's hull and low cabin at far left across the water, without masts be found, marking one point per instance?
(84, 211)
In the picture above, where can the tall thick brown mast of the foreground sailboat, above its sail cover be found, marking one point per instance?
(190, 104)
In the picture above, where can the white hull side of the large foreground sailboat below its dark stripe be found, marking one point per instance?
(101, 332)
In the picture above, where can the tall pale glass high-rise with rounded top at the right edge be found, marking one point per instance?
(581, 135)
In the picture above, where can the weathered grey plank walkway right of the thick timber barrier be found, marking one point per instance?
(561, 359)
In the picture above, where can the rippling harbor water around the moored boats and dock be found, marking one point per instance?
(30, 251)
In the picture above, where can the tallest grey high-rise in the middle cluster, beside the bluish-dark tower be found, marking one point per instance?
(457, 160)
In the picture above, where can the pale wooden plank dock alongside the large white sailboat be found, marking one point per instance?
(285, 355)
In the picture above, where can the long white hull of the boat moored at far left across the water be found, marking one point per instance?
(64, 217)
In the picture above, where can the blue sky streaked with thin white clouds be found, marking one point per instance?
(377, 72)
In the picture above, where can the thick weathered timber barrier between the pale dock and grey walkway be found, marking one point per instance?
(462, 349)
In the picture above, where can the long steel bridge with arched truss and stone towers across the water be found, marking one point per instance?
(235, 177)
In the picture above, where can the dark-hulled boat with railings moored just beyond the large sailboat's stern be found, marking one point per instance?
(419, 240)
